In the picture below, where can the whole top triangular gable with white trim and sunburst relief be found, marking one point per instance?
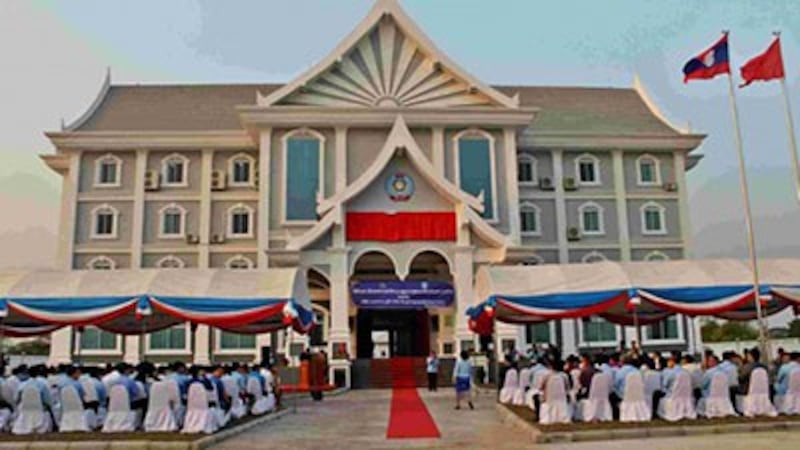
(388, 62)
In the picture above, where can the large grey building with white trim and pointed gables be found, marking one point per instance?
(385, 161)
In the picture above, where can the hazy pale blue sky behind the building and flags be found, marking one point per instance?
(55, 55)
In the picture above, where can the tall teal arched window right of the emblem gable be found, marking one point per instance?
(475, 171)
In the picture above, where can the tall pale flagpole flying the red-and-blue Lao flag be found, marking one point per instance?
(748, 217)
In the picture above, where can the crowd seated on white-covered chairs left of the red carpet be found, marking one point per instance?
(124, 398)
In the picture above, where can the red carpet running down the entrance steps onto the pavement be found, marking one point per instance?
(408, 417)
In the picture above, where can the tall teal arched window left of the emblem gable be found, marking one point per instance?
(303, 178)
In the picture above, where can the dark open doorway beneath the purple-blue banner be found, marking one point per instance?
(409, 331)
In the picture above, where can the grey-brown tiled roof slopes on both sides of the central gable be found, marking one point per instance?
(609, 111)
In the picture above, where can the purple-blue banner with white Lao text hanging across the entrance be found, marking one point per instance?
(402, 294)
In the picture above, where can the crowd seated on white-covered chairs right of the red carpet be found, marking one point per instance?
(634, 387)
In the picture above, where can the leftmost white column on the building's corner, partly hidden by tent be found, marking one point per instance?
(61, 342)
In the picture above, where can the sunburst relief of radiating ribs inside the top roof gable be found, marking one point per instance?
(387, 69)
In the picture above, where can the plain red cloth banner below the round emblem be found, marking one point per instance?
(404, 226)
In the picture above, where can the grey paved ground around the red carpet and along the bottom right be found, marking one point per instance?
(358, 419)
